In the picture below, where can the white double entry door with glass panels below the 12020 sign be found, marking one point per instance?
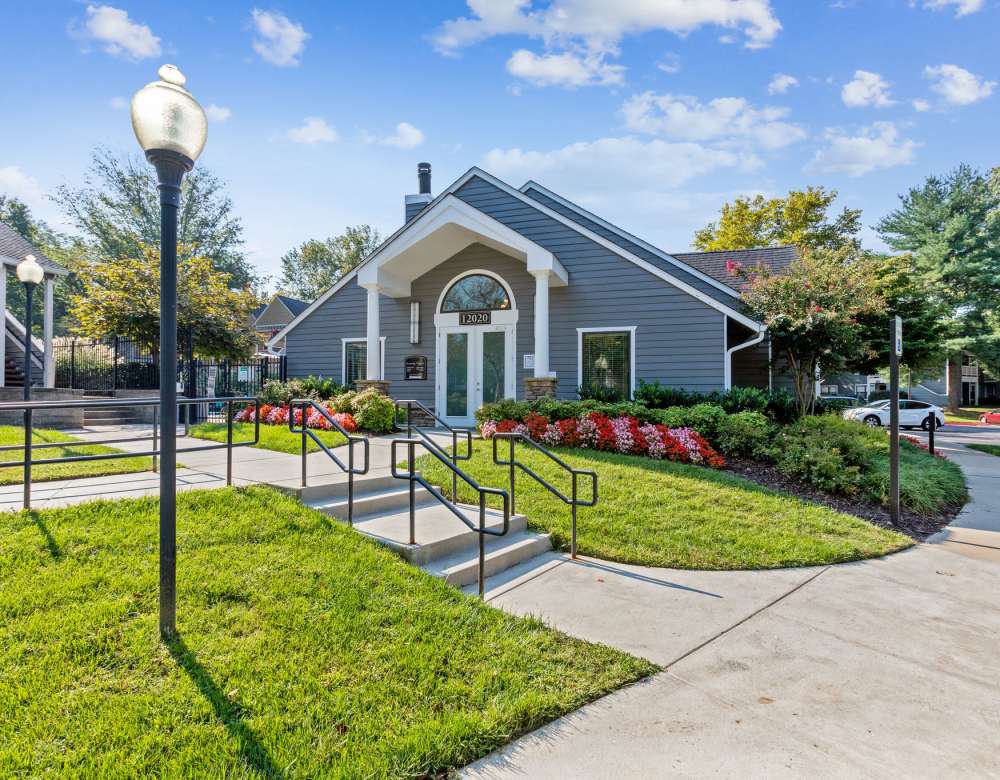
(475, 365)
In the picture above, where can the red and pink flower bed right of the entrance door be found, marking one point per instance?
(624, 434)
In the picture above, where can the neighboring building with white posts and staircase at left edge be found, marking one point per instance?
(13, 248)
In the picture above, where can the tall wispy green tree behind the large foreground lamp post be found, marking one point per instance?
(118, 211)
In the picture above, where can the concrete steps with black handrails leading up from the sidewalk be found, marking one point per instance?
(445, 546)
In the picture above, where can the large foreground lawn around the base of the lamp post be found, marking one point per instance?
(305, 650)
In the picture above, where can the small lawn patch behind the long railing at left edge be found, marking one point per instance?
(14, 434)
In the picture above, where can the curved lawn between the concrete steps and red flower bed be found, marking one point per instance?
(660, 513)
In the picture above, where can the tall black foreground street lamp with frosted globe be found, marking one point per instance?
(171, 128)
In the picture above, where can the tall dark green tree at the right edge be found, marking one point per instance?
(951, 225)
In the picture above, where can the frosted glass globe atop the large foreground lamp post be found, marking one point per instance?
(165, 116)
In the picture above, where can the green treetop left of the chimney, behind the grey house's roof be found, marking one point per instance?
(315, 266)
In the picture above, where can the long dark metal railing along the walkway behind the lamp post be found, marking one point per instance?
(28, 407)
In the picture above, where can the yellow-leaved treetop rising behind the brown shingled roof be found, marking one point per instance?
(801, 219)
